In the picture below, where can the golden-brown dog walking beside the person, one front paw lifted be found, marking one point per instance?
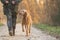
(26, 21)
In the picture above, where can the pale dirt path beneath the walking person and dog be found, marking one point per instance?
(35, 34)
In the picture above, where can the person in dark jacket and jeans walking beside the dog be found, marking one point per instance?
(9, 9)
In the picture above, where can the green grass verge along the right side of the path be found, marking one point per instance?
(52, 30)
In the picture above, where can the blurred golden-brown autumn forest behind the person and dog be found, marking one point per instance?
(44, 11)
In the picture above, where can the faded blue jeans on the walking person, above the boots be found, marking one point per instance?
(11, 22)
